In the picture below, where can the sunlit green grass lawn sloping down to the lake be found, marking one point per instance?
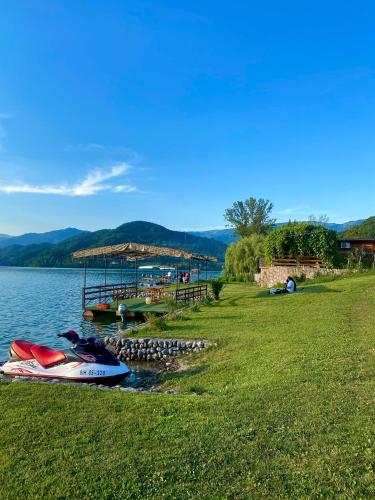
(282, 407)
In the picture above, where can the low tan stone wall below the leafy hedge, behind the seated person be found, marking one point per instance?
(270, 275)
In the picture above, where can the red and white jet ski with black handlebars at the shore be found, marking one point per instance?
(87, 360)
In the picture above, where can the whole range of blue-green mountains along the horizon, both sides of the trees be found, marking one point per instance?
(54, 248)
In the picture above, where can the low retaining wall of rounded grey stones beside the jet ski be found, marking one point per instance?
(151, 349)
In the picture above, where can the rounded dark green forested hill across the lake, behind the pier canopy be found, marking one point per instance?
(48, 255)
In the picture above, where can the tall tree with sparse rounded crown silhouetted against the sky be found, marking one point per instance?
(251, 216)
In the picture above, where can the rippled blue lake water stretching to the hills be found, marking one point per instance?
(38, 303)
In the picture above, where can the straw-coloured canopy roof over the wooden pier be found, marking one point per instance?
(132, 251)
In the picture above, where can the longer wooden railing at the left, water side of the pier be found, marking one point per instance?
(108, 293)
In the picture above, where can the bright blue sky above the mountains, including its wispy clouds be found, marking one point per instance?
(112, 111)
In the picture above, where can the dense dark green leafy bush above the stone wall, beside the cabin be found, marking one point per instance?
(296, 240)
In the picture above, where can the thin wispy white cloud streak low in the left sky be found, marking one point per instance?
(92, 184)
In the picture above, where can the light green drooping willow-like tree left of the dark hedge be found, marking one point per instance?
(242, 258)
